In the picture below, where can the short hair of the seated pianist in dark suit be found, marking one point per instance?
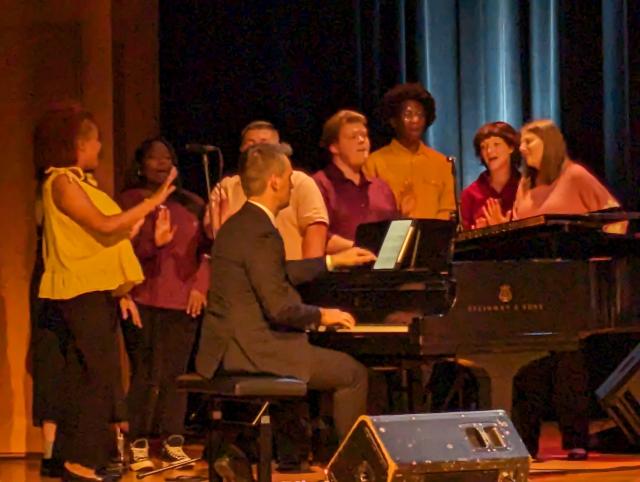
(258, 163)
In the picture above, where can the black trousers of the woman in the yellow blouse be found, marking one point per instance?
(87, 333)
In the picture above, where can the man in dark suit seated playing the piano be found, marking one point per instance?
(255, 319)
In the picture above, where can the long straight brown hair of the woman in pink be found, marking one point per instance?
(554, 153)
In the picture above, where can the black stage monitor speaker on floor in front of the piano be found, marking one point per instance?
(444, 447)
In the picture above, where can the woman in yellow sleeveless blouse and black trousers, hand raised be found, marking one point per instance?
(88, 260)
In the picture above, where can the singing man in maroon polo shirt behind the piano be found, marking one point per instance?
(351, 197)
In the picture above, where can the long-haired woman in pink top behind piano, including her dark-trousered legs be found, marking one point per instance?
(552, 183)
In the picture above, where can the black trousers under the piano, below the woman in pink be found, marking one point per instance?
(556, 383)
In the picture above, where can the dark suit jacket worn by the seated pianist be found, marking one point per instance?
(255, 319)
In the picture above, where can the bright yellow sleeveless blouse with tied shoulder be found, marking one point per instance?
(76, 261)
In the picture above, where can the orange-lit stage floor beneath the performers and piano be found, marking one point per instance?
(553, 468)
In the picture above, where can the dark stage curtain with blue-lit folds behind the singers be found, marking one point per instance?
(225, 63)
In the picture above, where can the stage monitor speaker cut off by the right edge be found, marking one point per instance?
(620, 395)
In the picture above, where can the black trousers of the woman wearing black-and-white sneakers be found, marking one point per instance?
(159, 353)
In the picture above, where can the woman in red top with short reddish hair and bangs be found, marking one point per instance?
(496, 144)
